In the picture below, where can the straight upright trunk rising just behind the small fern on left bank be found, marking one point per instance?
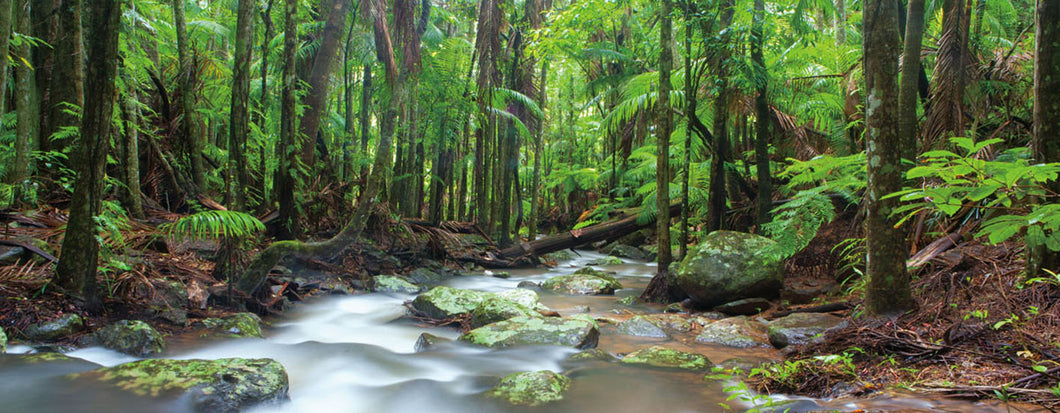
(239, 125)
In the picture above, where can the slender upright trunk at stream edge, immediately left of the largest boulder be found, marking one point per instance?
(659, 289)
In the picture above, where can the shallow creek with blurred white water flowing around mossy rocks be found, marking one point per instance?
(356, 354)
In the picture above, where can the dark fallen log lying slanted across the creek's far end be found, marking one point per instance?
(605, 231)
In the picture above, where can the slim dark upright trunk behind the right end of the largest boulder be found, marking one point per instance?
(762, 117)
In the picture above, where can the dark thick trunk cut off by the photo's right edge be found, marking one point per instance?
(1047, 140)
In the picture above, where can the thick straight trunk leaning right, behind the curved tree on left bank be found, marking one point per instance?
(316, 97)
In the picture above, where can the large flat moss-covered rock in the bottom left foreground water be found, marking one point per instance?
(209, 386)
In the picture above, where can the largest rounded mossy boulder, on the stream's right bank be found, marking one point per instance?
(731, 266)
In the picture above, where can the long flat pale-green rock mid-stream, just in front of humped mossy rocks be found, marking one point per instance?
(579, 332)
